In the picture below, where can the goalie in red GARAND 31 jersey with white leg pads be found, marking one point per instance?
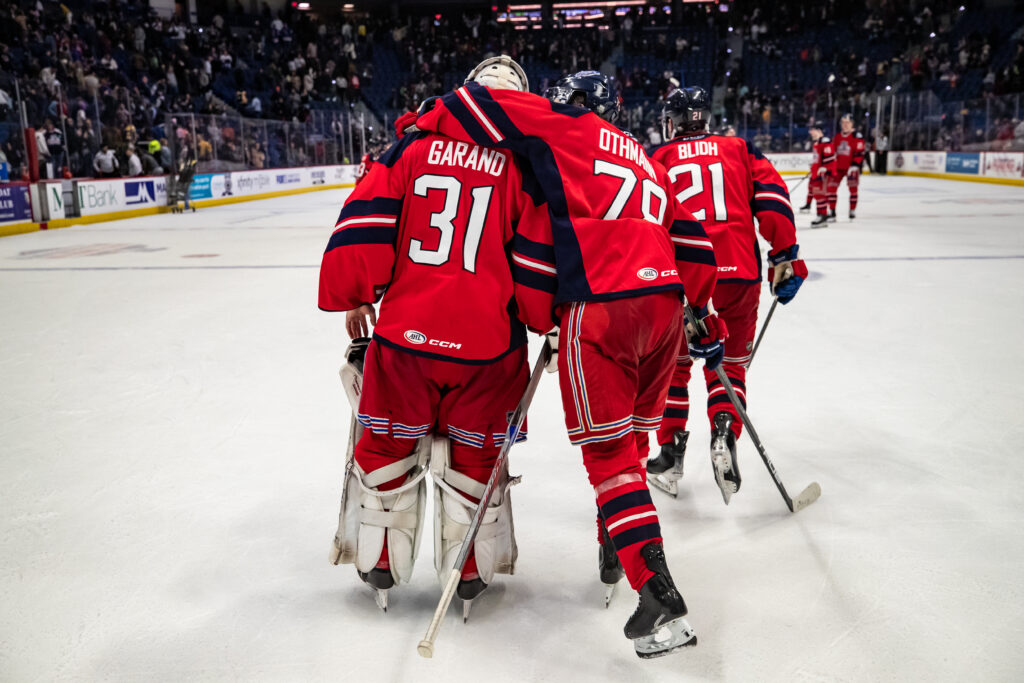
(430, 227)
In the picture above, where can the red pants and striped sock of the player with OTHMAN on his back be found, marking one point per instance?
(615, 363)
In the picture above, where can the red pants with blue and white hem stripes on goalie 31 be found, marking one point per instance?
(407, 397)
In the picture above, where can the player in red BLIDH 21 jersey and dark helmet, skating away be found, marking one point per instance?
(726, 183)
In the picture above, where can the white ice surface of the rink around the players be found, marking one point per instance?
(173, 430)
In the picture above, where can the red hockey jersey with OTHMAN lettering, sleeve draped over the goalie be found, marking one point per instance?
(615, 232)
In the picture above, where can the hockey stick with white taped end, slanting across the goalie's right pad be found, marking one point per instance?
(426, 647)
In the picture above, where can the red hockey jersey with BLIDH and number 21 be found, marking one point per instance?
(726, 183)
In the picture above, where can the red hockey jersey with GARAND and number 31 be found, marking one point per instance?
(431, 225)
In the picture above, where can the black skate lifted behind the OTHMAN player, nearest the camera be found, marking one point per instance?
(658, 627)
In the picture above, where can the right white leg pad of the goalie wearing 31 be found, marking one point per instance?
(495, 546)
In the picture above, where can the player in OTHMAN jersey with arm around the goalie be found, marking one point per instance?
(623, 251)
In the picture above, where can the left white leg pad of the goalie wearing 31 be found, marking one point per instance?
(368, 516)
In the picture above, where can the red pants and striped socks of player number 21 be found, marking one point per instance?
(737, 304)
